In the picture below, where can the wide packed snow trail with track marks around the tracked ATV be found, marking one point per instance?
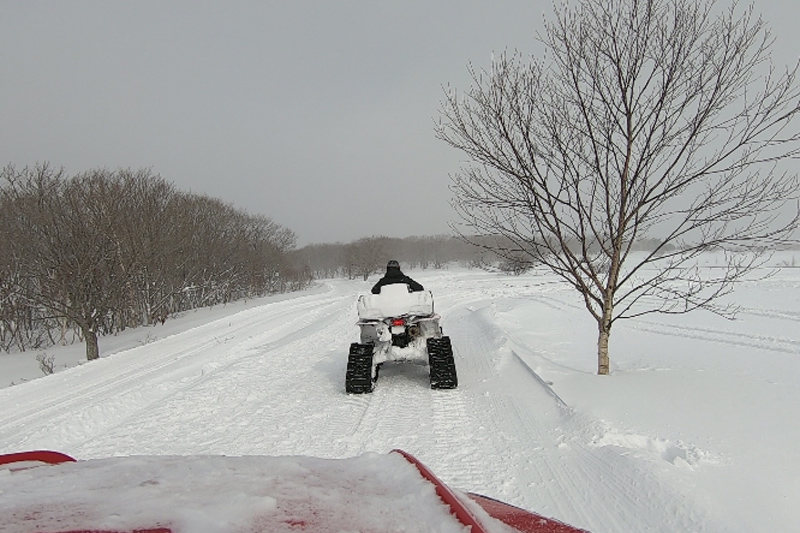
(270, 381)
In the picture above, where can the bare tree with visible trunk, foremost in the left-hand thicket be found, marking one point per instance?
(69, 264)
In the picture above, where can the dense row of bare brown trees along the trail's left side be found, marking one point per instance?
(104, 250)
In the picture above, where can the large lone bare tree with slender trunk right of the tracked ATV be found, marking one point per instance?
(651, 119)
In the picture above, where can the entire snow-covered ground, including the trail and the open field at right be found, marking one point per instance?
(696, 430)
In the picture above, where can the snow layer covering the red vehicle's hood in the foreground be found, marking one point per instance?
(215, 494)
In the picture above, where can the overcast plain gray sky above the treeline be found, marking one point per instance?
(316, 113)
